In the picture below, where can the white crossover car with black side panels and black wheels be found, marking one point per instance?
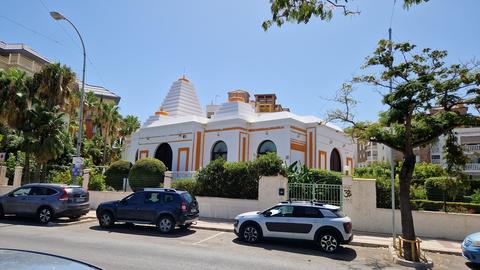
(322, 223)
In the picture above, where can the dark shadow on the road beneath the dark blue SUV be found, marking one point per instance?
(146, 230)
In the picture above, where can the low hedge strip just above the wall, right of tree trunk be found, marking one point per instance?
(459, 207)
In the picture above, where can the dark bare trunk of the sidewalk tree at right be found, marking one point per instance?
(408, 229)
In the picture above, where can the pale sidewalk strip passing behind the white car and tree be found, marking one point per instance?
(359, 239)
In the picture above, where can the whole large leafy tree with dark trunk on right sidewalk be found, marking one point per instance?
(427, 99)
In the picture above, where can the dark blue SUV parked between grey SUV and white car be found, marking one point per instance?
(166, 208)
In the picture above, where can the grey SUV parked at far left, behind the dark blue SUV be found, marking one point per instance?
(46, 201)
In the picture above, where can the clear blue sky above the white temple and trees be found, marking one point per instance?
(138, 48)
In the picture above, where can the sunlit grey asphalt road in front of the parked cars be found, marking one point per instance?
(142, 247)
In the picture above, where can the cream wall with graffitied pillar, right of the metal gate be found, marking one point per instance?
(361, 207)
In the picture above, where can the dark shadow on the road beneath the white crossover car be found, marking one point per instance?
(301, 247)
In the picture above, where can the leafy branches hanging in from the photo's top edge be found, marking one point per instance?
(301, 11)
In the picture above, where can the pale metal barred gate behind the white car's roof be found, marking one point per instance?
(325, 193)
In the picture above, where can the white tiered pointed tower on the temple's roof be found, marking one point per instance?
(182, 100)
